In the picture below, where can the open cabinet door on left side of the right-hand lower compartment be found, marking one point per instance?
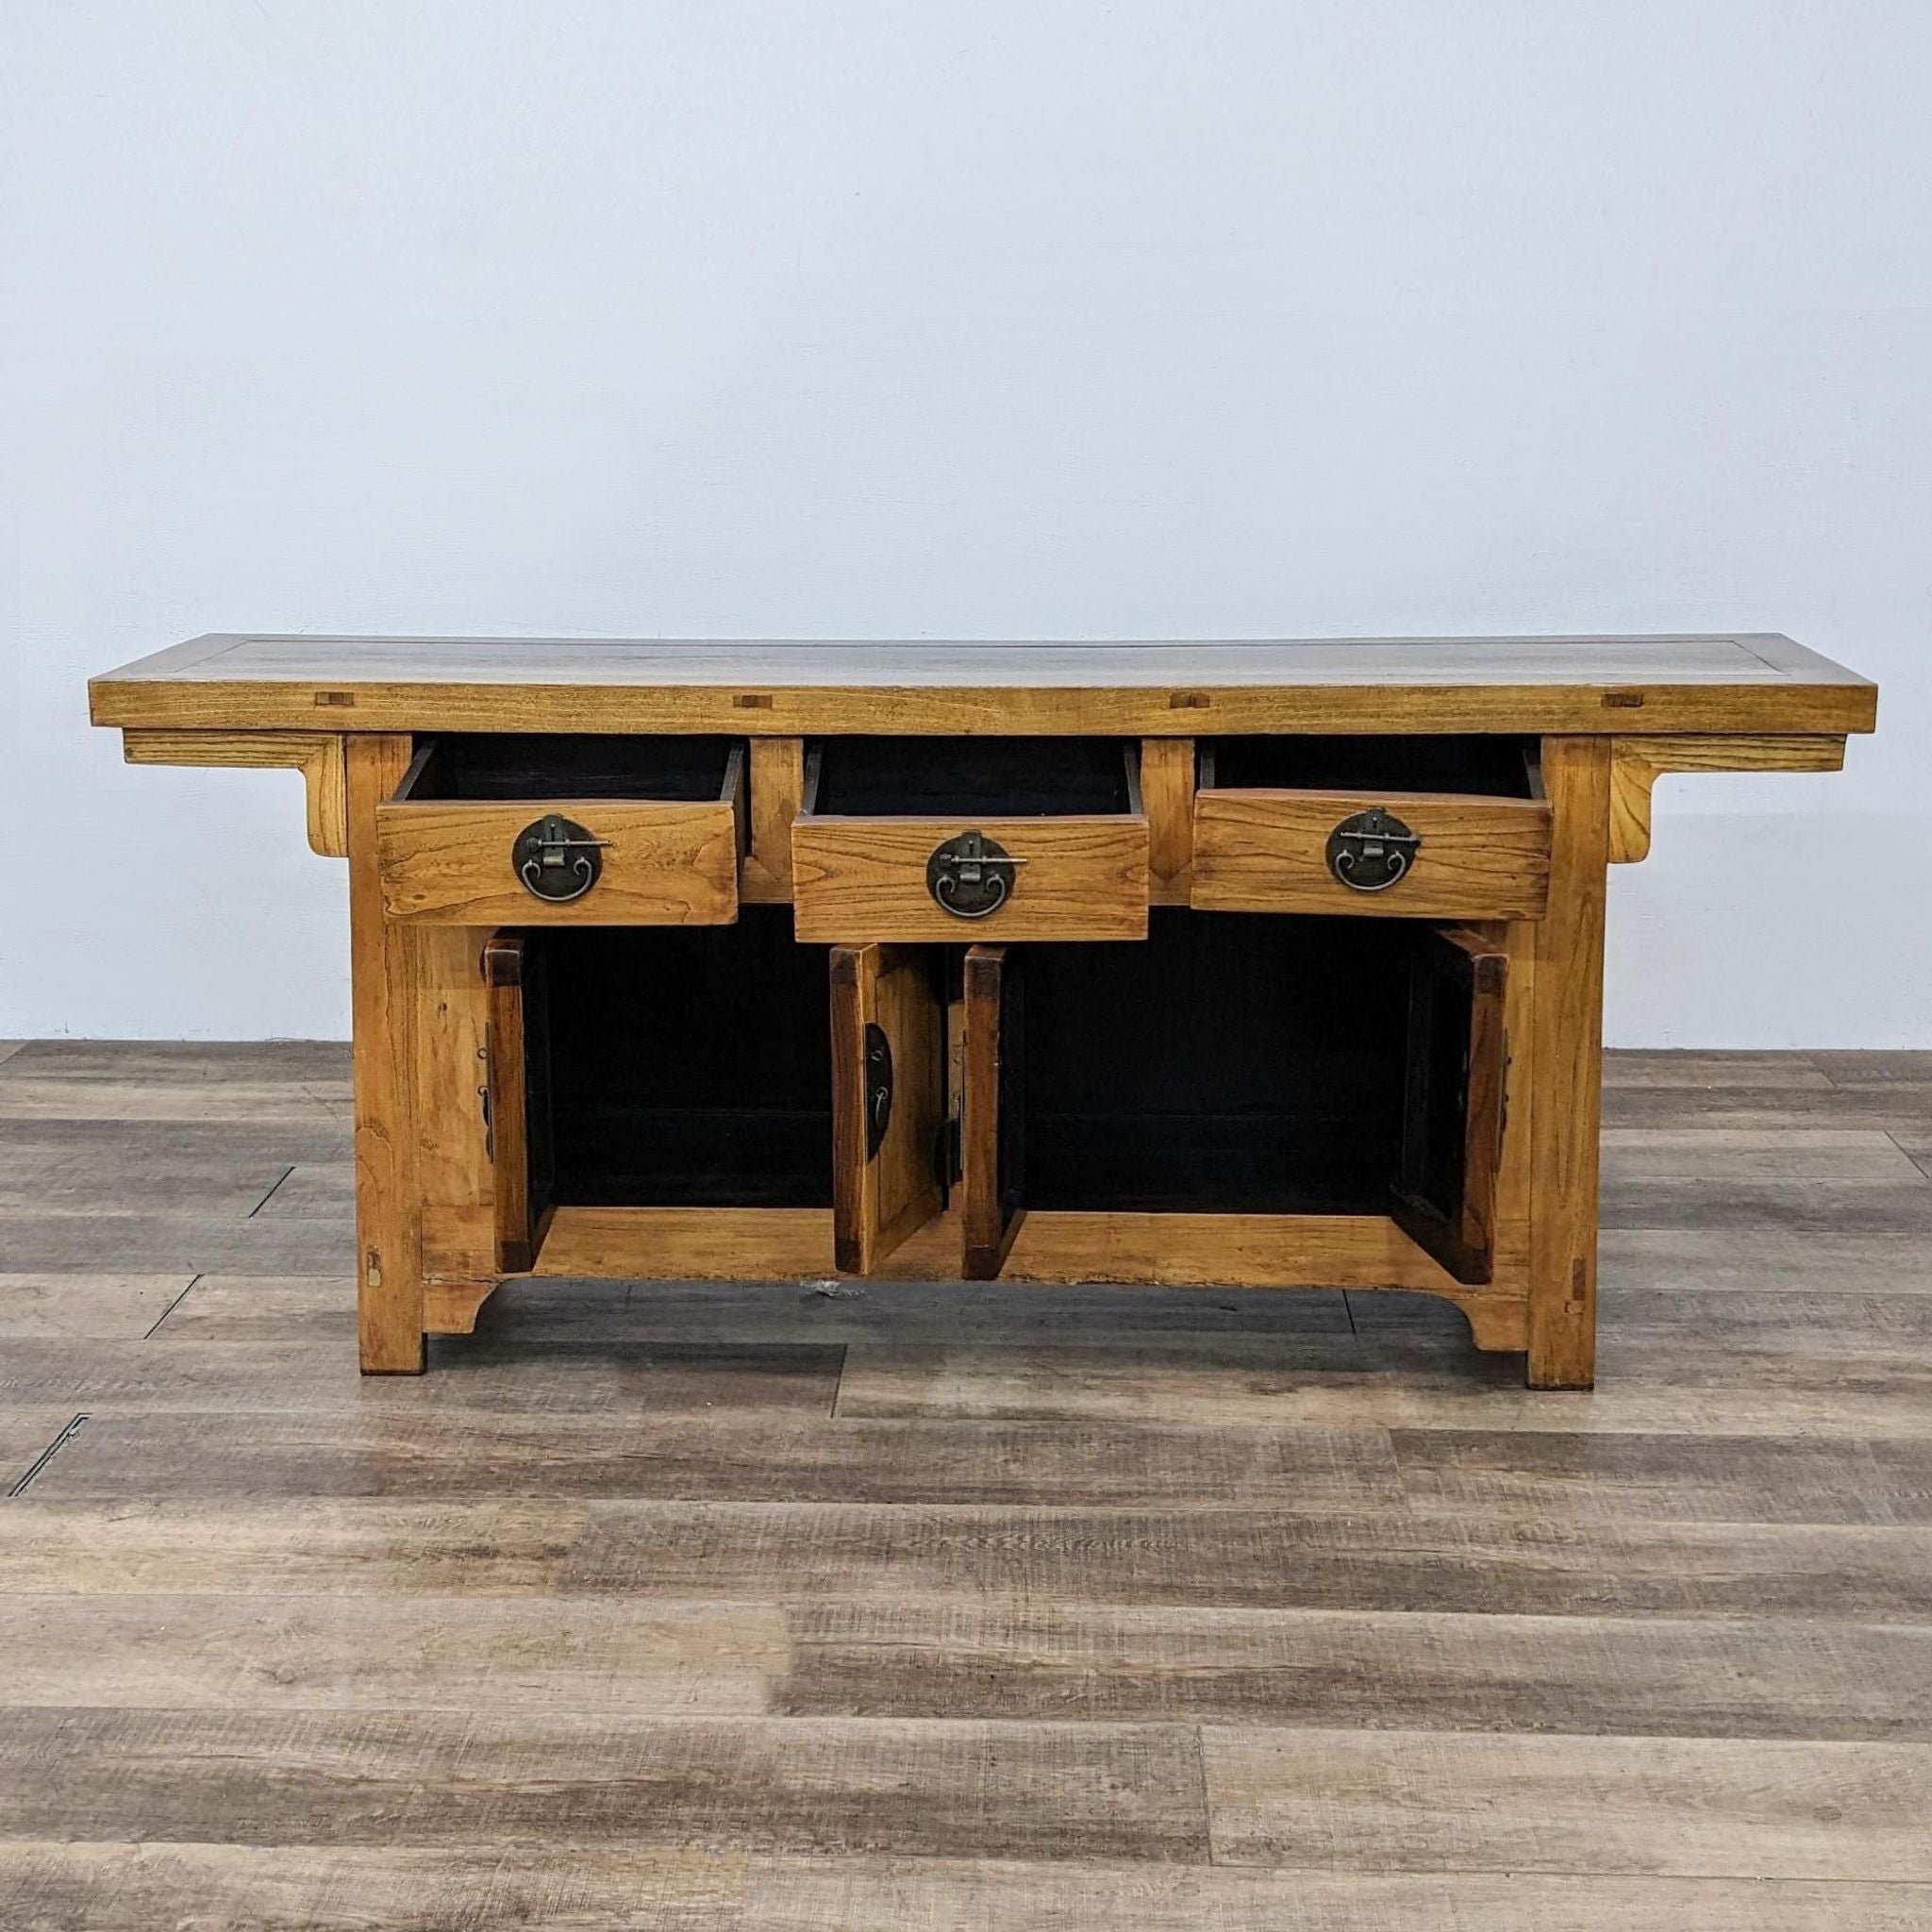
(992, 1116)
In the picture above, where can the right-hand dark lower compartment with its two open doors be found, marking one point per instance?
(1357, 1069)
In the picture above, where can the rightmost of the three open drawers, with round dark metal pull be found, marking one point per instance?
(1425, 828)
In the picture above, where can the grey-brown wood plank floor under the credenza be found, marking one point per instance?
(953, 1608)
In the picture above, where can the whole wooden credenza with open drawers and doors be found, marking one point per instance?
(1224, 965)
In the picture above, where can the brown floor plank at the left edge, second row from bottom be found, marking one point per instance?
(318, 1778)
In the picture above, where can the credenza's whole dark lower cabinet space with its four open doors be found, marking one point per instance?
(1230, 1064)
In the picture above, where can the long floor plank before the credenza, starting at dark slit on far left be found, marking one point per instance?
(774, 1444)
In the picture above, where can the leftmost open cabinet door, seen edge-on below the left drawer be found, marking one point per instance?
(517, 1098)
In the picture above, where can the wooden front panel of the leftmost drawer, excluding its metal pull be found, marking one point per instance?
(660, 863)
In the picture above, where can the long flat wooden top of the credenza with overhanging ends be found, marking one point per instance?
(1744, 683)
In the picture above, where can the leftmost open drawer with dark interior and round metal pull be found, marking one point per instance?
(567, 832)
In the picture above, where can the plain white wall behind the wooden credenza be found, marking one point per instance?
(994, 318)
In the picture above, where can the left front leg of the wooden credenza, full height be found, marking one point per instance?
(389, 1270)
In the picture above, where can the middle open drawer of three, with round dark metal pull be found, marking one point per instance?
(932, 839)
